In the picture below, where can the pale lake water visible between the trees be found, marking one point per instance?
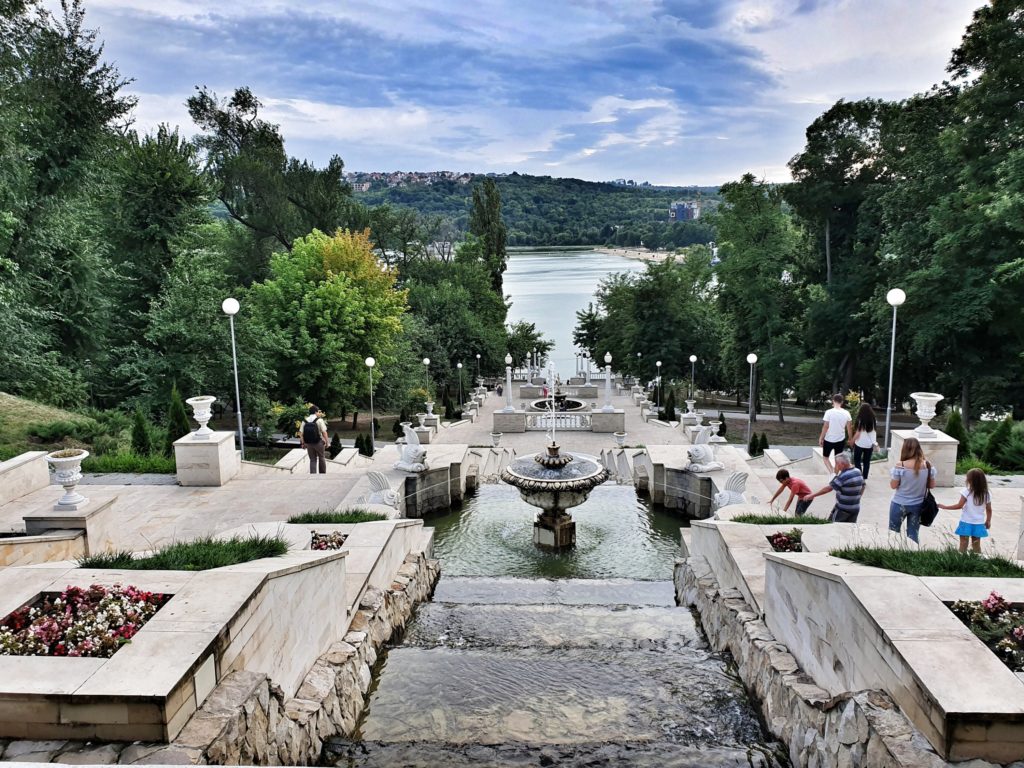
(548, 288)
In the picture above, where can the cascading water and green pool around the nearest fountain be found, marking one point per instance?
(585, 662)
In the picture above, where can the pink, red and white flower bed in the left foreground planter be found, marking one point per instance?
(94, 622)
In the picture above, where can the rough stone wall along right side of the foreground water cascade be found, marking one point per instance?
(864, 730)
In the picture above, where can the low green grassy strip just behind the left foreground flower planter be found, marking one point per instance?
(201, 554)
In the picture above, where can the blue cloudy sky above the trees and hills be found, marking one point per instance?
(667, 92)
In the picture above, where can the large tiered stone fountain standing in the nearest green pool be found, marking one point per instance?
(556, 482)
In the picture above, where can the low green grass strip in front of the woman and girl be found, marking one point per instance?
(949, 563)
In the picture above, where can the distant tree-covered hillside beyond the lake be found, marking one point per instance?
(542, 210)
